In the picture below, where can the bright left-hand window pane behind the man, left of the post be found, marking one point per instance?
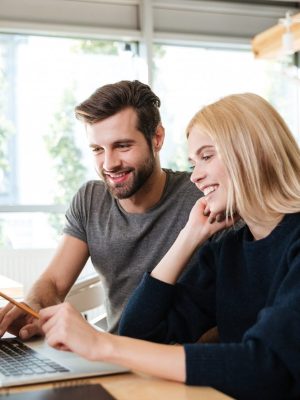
(43, 154)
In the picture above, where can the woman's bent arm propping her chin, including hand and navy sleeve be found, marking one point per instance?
(162, 311)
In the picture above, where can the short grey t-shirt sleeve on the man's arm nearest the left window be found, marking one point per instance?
(75, 218)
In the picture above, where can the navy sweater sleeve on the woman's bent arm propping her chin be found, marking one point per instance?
(166, 313)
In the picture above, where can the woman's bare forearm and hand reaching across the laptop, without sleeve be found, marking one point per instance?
(156, 359)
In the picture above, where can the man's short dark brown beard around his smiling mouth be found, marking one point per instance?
(140, 176)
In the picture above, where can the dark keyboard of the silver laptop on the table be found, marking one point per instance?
(17, 359)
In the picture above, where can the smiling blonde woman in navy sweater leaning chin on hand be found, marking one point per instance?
(247, 163)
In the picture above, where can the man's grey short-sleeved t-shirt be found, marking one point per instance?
(124, 245)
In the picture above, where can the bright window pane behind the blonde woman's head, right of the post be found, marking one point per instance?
(187, 78)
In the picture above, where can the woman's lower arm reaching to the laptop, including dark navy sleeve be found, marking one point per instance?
(246, 370)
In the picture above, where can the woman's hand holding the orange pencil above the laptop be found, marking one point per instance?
(66, 329)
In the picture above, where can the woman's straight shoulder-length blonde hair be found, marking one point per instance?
(260, 153)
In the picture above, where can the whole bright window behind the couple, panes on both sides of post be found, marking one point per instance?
(43, 154)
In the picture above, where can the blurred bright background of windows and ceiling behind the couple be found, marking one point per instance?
(55, 53)
